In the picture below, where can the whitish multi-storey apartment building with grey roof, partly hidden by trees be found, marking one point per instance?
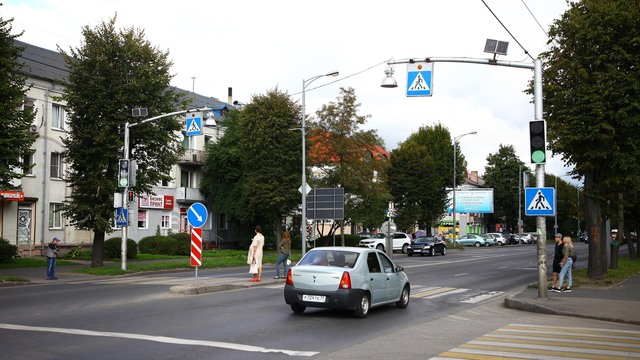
(31, 216)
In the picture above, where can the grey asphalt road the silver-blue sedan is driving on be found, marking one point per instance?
(455, 299)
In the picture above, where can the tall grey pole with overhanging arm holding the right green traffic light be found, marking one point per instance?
(536, 66)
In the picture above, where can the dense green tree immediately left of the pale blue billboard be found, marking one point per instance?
(421, 169)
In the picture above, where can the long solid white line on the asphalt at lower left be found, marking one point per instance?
(162, 339)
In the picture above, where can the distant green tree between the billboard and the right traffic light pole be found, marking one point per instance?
(502, 174)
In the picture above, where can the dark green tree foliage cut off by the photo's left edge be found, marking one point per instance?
(16, 140)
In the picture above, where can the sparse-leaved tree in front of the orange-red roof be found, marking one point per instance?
(348, 157)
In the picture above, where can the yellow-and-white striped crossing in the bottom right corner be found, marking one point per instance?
(526, 341)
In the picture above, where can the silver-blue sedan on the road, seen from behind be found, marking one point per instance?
(348, 278)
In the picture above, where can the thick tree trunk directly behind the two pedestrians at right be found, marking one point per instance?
(597, 265)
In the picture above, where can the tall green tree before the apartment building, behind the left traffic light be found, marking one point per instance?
(110, 74)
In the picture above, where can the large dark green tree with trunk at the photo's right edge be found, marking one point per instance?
(591, 104)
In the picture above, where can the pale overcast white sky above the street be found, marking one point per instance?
(254, 46)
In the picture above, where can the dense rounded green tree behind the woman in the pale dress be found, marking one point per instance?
(253, 173)
